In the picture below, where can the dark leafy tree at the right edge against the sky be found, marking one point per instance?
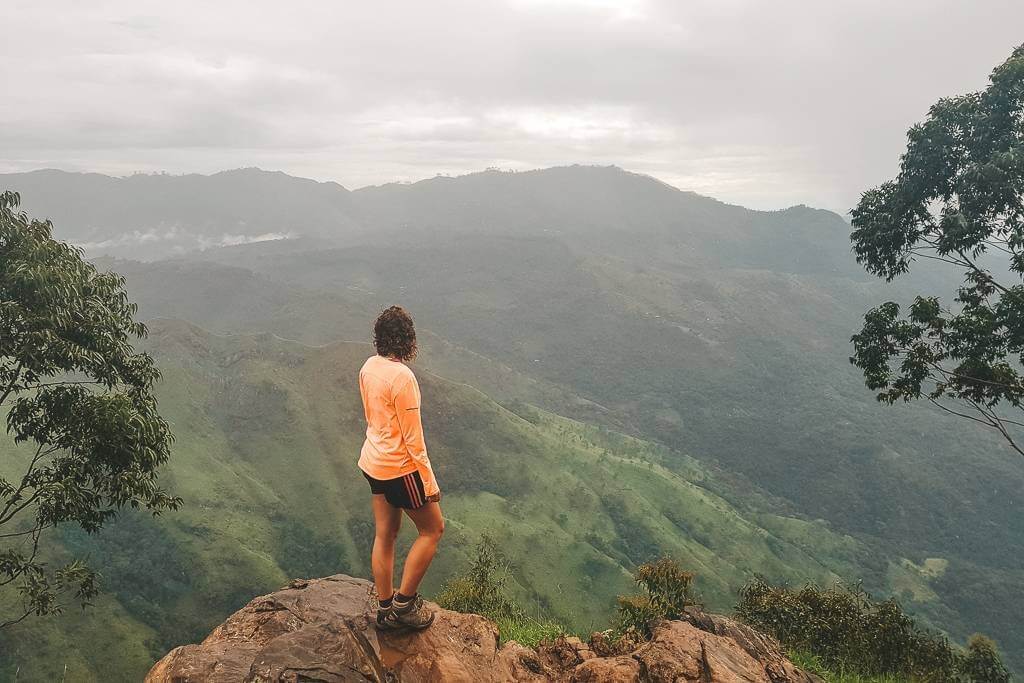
(959, 199)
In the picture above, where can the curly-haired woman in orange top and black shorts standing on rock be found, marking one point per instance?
(395, 461)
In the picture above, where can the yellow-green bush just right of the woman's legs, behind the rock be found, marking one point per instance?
(482, 591)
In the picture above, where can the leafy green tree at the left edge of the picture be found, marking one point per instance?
(79, 405)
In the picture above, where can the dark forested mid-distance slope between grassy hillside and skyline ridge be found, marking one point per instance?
(757, 386)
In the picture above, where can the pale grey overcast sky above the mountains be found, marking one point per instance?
(761, 104)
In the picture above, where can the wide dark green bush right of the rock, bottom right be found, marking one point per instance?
(845, 630)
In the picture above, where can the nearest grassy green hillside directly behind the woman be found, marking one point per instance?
(268, 435)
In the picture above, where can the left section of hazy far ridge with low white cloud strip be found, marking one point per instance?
(154, 217)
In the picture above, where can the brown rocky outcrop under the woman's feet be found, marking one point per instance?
(320, 630)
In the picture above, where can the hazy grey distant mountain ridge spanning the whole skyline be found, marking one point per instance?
(157, 217)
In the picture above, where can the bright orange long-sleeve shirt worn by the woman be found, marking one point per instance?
(395, 445)
